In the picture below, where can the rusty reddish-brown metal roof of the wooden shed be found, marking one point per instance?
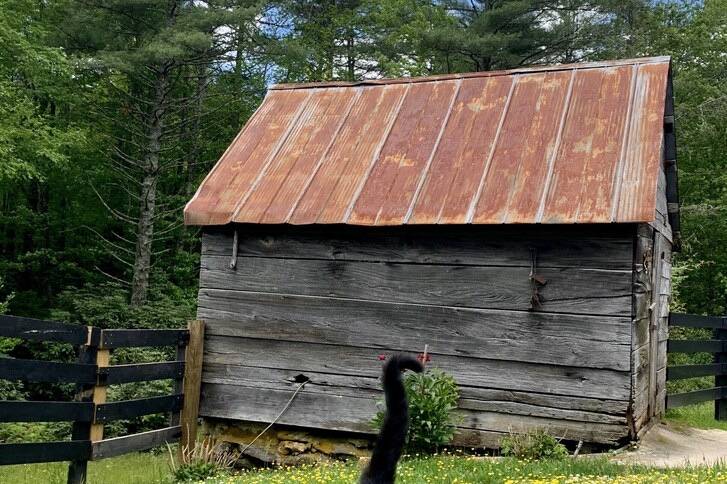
(578, 143)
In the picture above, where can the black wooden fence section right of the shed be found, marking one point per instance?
(718, 368)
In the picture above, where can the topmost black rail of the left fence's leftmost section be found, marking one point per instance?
(41, 330)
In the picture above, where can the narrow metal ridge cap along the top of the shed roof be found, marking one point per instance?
(468, 75)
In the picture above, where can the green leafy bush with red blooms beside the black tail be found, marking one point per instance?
(432, 397)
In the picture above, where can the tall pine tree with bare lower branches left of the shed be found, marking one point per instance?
(157, 59)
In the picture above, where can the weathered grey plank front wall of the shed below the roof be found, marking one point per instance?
(326, 302)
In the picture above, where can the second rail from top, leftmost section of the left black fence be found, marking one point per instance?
(46, 371)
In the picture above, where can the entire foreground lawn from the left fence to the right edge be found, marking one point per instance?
(153, 469)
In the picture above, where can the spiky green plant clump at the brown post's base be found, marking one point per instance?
(206, 459)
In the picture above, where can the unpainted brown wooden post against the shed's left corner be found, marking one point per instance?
(192, 384)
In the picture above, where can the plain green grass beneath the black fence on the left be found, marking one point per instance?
(143, 468)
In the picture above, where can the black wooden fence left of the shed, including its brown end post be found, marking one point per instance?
(92, 374)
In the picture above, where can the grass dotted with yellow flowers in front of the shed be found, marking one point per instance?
(460, 469)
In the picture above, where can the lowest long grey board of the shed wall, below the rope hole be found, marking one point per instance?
(346, 413)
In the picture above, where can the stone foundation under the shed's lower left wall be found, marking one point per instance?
(285, 446)
